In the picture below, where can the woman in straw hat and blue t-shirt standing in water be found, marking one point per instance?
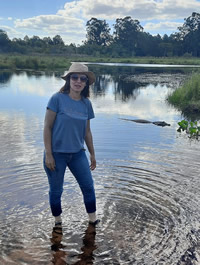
(66, 128)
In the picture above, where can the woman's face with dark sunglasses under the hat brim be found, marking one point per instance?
(77, 82)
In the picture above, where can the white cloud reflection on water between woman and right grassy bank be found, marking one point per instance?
(156, 108)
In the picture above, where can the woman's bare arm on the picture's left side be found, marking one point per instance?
(48, 125)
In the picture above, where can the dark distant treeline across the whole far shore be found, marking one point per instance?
(127, 40)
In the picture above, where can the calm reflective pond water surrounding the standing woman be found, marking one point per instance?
(147, 178)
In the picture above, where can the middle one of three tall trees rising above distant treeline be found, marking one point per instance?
(126, 33)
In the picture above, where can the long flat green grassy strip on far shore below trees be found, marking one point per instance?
(42, 62)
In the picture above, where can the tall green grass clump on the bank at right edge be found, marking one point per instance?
(187, 97)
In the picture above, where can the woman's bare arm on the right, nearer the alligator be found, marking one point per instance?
(90, 146)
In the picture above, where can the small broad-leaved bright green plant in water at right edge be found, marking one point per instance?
(191, 128)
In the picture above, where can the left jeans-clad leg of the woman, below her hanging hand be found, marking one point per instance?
(56, 179)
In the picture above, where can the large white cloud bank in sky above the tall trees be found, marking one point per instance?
(141, 10)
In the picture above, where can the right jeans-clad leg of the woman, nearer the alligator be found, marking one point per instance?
(79, 167)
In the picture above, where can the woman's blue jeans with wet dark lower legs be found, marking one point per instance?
(79, 166)
